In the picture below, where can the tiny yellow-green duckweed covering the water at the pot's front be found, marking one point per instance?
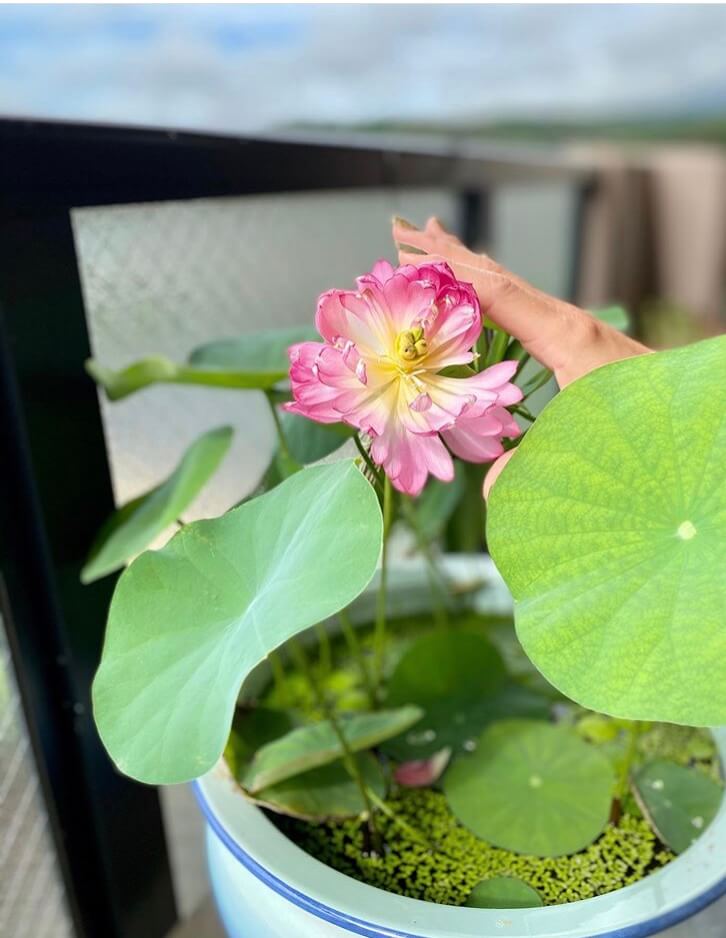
(447, 874)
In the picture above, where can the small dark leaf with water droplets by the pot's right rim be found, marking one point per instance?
(680, 803)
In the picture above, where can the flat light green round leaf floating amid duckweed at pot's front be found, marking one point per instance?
(533, 788)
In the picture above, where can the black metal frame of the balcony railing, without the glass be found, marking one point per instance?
(54, 479)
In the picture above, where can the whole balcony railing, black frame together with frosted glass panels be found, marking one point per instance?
(127, 242)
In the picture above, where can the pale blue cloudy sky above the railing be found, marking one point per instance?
(242, 68)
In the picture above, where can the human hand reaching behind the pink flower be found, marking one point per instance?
(563, 337)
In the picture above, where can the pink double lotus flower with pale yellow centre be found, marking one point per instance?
(379, 370)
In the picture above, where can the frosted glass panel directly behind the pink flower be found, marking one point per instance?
(162, 278)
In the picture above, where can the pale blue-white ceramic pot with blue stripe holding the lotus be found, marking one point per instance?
(267, 887)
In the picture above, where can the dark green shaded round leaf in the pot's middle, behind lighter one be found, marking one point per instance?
(454, 677)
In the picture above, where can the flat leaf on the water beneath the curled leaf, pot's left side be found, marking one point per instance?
(325, 792)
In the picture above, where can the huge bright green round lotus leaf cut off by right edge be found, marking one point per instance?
(609, 527)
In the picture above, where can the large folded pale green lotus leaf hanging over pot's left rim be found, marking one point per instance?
(187, 623)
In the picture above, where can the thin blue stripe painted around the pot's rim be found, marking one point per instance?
(369, 930)
